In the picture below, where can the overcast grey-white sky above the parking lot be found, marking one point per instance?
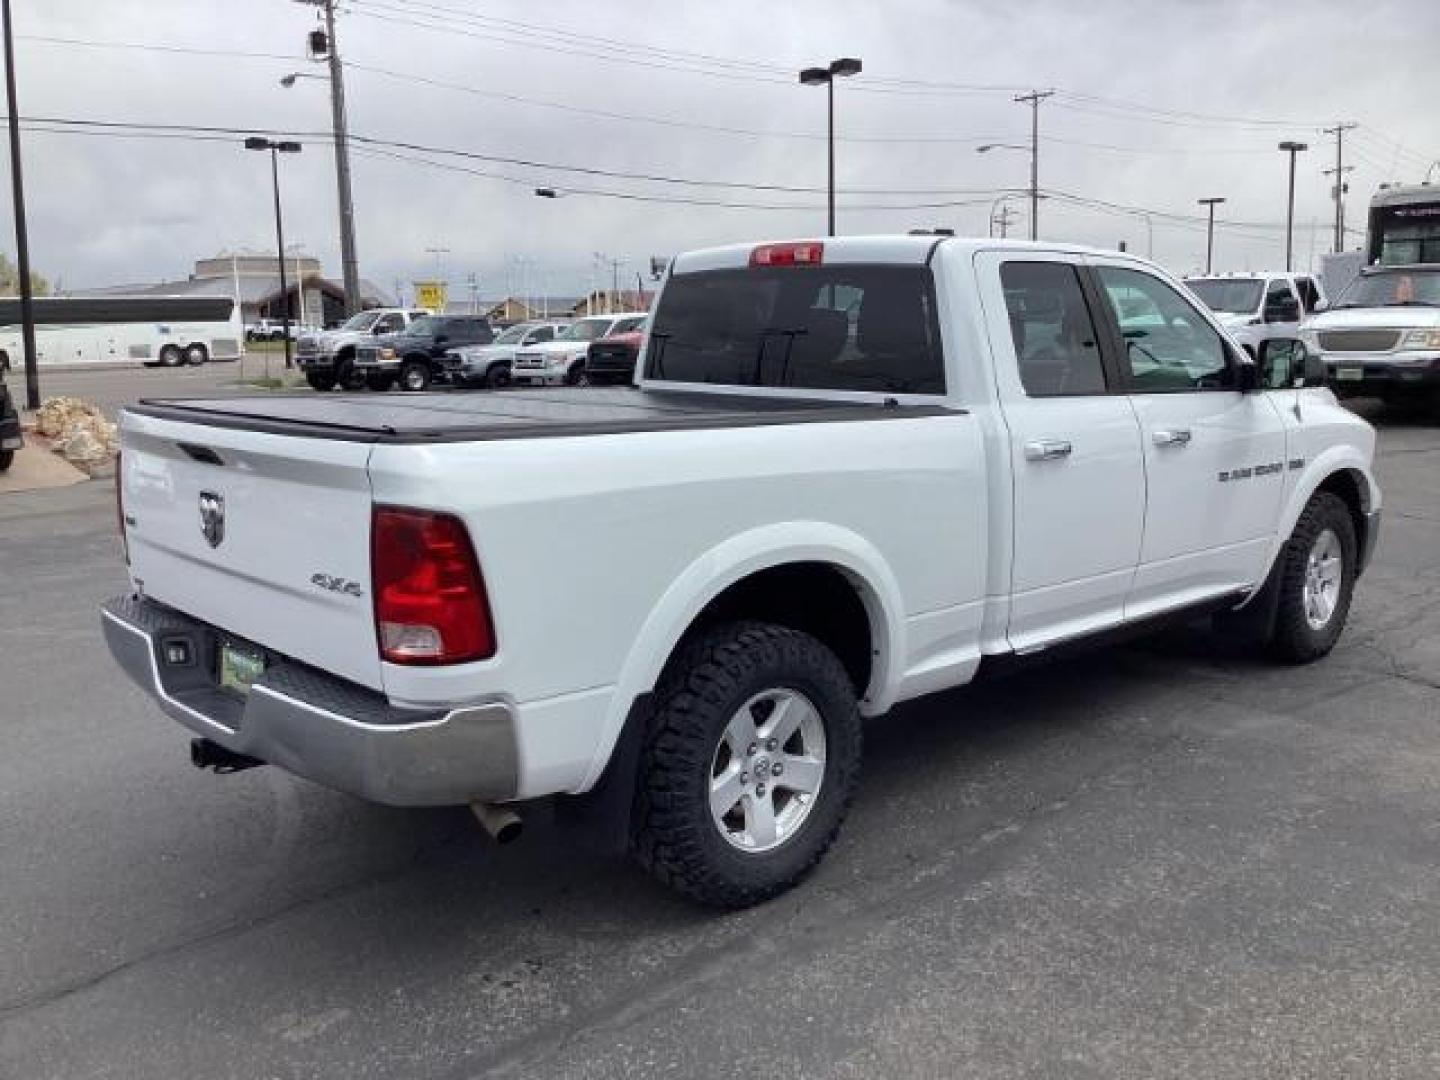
(1158, 104)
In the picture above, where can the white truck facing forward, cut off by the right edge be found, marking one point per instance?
(1382, 339)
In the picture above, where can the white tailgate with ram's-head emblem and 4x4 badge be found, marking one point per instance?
(286, 558)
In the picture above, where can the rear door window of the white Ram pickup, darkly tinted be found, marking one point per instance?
(1056, 343)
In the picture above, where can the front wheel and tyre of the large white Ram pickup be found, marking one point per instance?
(1317, 580)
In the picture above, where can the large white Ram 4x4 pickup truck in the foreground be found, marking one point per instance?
(856, 472)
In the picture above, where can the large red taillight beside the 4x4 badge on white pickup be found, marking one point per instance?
(430, 600)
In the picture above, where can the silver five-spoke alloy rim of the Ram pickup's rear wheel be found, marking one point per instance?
(768, 770)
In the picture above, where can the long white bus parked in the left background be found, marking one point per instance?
(77, 332)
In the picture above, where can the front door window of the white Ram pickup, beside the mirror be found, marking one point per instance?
(1169, 345)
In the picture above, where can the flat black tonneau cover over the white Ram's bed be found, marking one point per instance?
(509, 414)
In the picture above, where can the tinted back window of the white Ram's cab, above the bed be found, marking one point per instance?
(830, 328)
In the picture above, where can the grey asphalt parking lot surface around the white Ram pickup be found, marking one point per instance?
(1169, 860)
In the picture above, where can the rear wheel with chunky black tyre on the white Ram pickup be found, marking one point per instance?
(750, 767)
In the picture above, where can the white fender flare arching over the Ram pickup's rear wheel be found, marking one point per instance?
(734, 561)
